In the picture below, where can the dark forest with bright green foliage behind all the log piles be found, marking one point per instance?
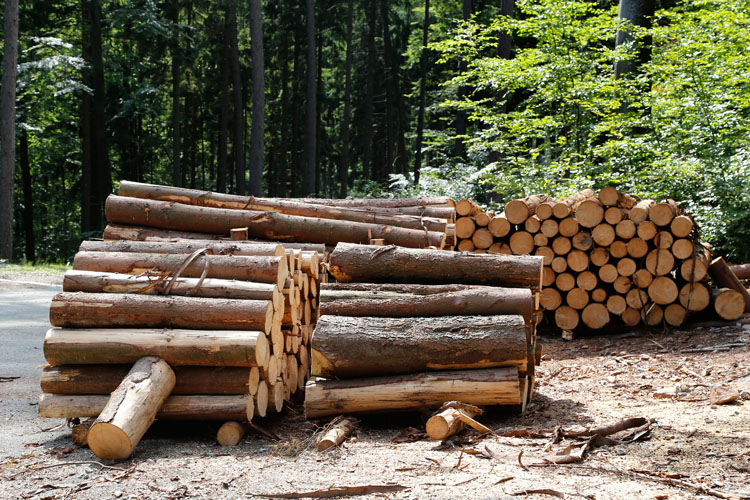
(488, 100)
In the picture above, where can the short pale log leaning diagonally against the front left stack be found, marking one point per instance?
(131, 409)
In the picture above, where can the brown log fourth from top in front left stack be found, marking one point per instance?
(111, 310)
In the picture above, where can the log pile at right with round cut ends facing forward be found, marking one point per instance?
(606, 256)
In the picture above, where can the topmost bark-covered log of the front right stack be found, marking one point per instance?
(401, 265)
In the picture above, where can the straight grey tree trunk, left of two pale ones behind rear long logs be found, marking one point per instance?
(257, 130)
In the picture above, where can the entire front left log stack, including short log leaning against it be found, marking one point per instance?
(179, 329)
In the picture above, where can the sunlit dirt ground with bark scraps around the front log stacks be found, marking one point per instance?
(693, 449)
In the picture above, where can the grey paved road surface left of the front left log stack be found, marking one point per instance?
(24, 313)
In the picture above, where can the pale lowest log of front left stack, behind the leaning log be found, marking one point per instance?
(214, 407)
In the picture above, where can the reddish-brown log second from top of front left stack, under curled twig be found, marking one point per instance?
(261, 269)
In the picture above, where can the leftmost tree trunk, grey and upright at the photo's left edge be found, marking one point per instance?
(8, 128)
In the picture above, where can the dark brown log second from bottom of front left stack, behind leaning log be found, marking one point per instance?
(104, 379)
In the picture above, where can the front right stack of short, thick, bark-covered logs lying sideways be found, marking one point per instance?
(411, 329)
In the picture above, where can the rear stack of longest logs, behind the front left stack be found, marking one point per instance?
(147, 211)
